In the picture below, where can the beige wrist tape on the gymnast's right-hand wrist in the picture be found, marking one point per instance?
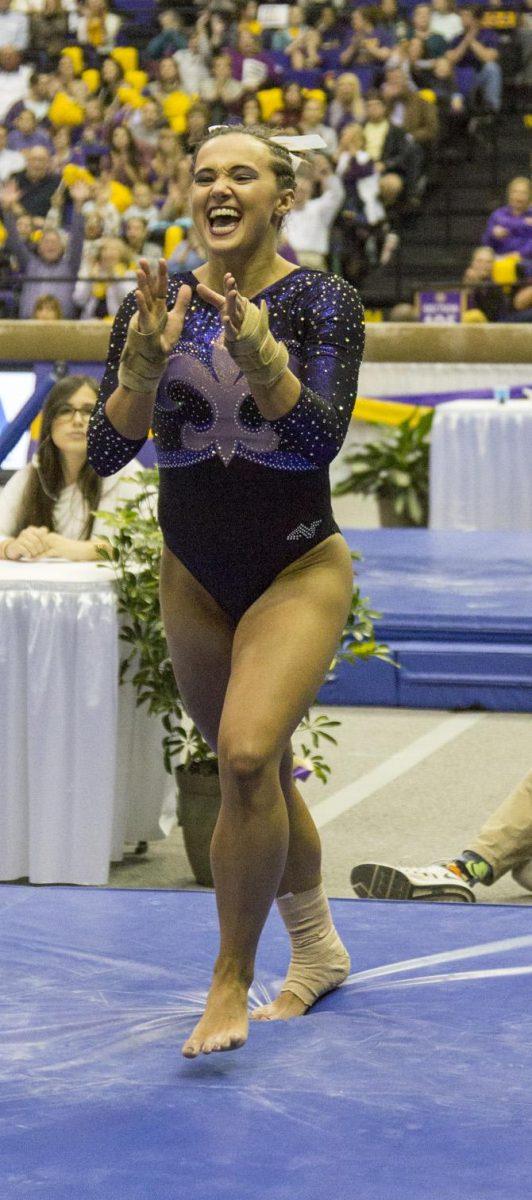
(260, 357)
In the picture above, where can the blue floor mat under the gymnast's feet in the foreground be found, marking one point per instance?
(414, 1082)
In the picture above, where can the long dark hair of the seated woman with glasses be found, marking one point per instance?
(47, 482)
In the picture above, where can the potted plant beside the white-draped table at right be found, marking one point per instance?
(396, 470)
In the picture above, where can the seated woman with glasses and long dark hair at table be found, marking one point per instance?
(46, 509)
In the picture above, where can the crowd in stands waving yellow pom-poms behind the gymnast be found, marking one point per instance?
(101, 107)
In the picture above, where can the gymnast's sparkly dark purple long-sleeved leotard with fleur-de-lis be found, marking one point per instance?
(242, 497)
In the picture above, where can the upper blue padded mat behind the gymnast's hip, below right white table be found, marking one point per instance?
(447, 581)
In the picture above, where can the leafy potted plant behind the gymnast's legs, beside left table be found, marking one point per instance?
(136, 544)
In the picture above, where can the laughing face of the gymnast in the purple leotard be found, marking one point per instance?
(236, 200)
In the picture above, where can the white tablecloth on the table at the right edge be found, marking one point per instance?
(481, 466)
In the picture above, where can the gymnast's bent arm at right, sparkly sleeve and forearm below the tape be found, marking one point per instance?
(313, 415)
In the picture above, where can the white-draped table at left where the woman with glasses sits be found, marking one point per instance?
(81, 766)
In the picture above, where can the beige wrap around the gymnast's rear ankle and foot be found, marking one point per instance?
(320, 961)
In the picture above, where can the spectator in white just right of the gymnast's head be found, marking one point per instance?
(309, 224)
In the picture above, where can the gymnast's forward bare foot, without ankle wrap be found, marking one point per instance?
(224, 1025)
